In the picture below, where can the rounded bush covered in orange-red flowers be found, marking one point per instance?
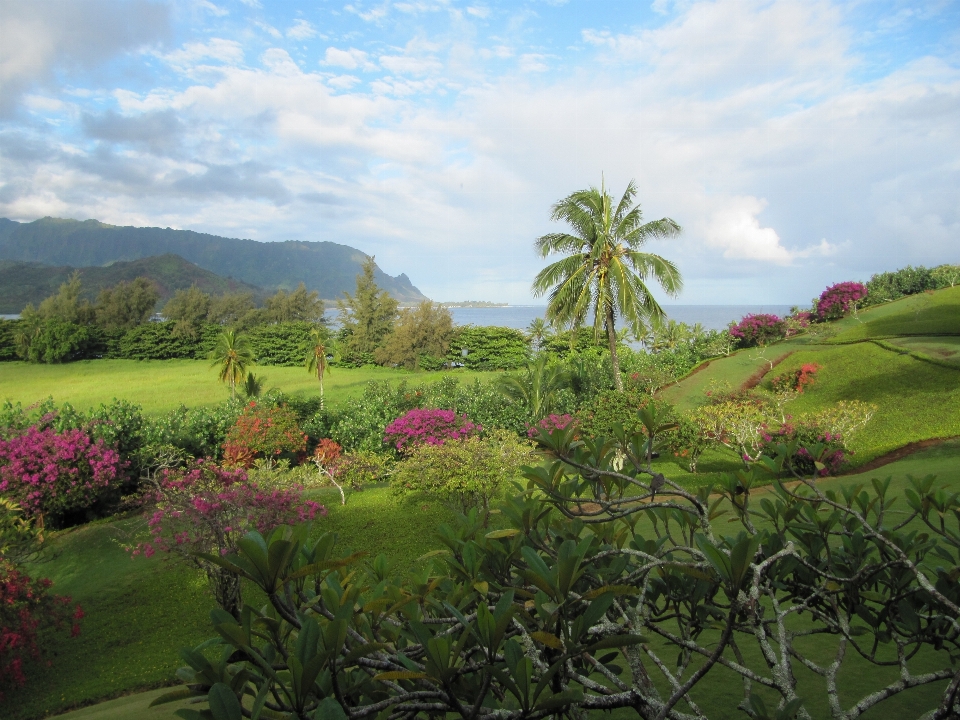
(262, 430)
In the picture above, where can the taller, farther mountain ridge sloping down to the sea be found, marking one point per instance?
(329, 268)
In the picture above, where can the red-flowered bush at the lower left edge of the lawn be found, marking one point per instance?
(28, 612)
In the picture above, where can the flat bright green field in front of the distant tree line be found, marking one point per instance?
(162, 385)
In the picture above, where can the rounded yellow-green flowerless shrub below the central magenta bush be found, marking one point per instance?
(467, 472)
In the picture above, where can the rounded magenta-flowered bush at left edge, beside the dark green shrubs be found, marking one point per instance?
(52, 474)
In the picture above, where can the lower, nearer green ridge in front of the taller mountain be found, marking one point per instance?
(31, 282)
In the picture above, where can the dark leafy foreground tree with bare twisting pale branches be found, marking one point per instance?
(570, 607)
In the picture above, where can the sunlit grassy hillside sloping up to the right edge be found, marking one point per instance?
(904, 357)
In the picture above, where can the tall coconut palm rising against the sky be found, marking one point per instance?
(604, 272)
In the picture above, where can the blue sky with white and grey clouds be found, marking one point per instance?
(798, 144)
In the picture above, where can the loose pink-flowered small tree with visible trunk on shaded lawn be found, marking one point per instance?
(208, 509)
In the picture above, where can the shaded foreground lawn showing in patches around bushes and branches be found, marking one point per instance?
(140, 612)
